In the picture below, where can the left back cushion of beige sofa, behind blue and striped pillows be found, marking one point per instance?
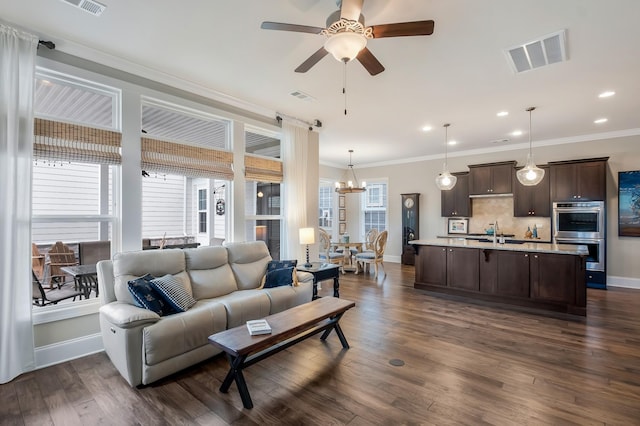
(130, 265)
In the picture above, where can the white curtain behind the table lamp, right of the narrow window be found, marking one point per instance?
(296, 155)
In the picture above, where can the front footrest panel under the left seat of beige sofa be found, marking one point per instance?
(180, 333)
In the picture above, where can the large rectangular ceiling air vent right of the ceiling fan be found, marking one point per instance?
(544, 51)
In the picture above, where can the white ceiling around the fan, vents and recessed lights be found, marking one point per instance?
(460, 74)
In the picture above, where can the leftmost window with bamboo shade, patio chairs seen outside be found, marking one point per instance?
(73, 185)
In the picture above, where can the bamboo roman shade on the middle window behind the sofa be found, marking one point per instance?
(186, 160)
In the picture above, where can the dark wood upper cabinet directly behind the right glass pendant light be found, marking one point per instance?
(532, 200)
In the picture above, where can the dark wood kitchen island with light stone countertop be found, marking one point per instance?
(543, 276)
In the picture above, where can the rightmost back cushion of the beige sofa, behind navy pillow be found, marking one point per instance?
(248, 261)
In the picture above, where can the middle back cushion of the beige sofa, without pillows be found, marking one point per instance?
(209, 271)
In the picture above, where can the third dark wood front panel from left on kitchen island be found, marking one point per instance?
(504, 273)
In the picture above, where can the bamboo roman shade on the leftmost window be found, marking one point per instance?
(58, 141)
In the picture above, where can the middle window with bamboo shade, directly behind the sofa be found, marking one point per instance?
(185, 152)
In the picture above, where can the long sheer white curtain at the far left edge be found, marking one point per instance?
(17, 72)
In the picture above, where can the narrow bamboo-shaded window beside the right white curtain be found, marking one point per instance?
(263, 203)
